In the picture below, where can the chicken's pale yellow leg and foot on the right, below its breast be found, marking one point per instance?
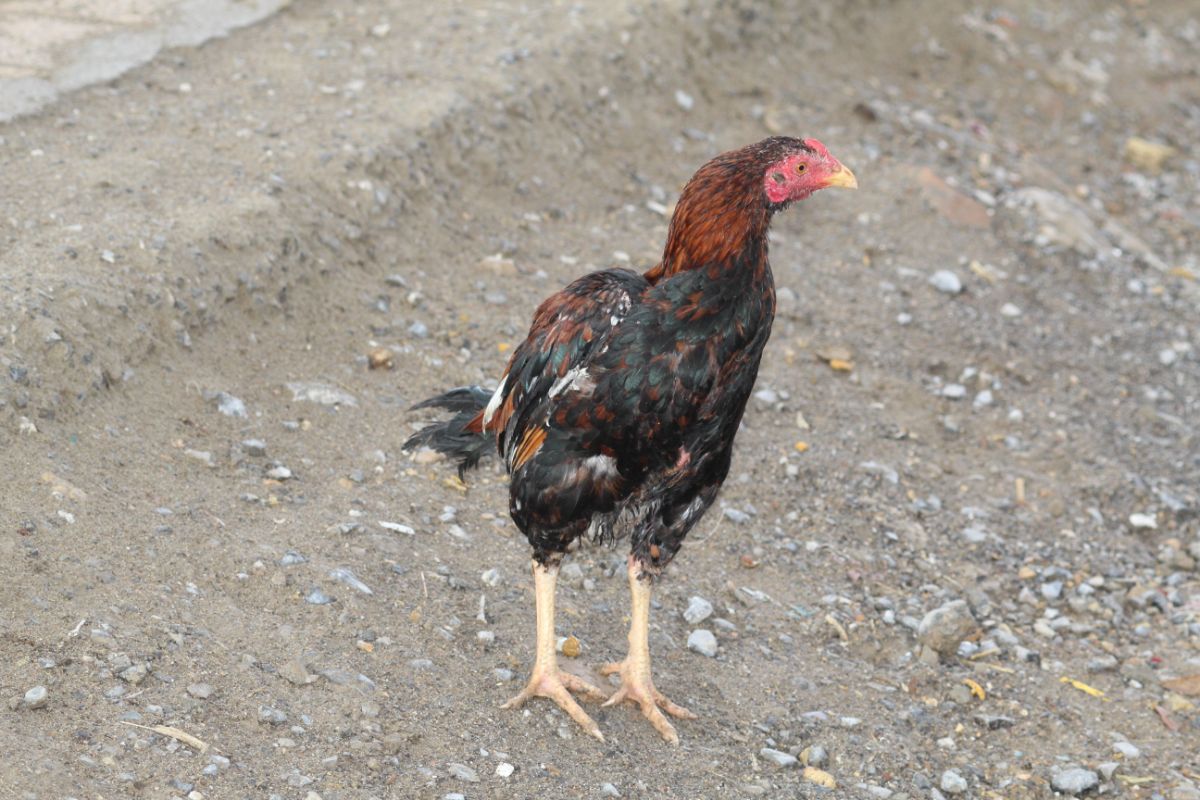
(637, 684)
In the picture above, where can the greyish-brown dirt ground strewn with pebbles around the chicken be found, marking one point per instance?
(193, 537)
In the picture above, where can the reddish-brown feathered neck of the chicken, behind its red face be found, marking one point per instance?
(721, 221)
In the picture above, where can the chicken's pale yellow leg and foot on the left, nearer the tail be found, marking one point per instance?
(548, 681)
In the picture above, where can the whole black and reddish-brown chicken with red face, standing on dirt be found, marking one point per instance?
(616, 417)
